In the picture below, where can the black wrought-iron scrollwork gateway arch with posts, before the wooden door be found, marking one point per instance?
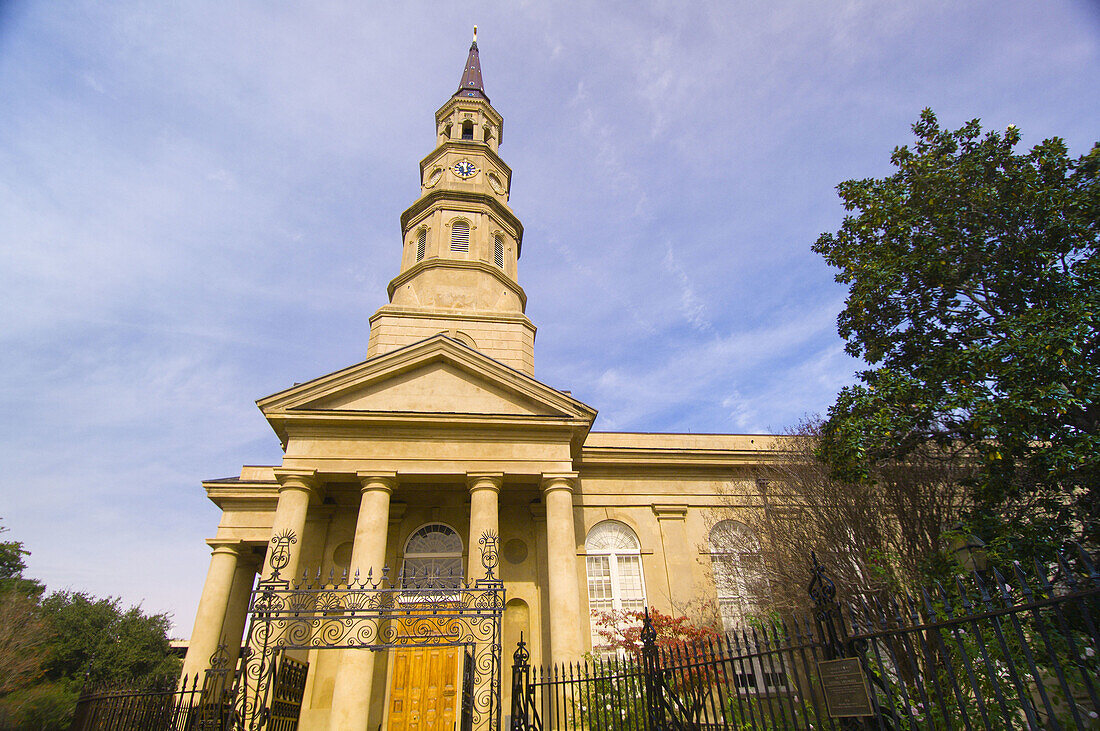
(372, 613)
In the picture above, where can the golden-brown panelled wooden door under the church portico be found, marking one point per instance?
(425, 689)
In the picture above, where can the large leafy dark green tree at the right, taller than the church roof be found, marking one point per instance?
(975, 297)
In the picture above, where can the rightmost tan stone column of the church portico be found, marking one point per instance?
(562, 568)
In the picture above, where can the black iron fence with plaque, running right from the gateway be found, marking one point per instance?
(994, 651)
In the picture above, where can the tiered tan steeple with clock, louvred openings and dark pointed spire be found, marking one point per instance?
(461, 242)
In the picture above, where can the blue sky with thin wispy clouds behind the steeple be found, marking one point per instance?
(200, 207)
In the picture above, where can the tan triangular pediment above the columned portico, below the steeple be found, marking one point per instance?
(438, 375)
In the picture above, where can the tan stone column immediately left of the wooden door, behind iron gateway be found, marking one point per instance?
(351, 693)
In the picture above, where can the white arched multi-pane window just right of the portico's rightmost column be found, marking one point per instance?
(614, 572)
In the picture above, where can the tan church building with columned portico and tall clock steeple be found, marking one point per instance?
(444, 435)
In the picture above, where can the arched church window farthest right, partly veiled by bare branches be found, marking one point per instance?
(735, 562)
